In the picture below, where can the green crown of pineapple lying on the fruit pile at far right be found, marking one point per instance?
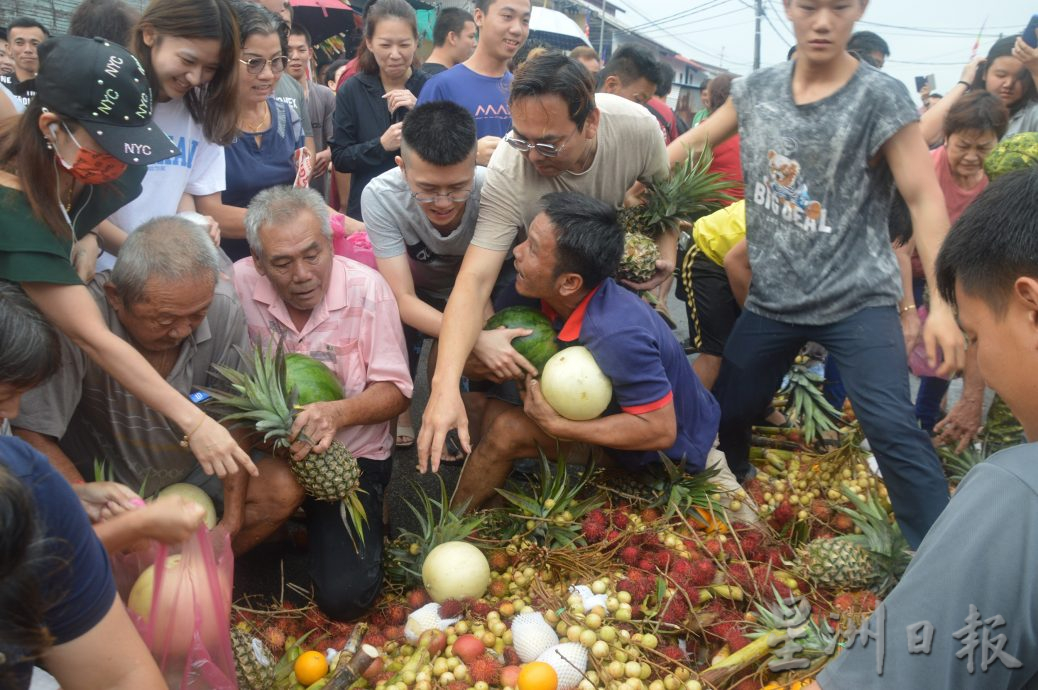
(880, 537)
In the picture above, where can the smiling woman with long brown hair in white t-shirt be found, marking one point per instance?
(189, 50)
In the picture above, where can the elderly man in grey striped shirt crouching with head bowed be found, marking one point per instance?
(163, 297)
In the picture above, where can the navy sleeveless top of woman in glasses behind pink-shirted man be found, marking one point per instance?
(253, 169)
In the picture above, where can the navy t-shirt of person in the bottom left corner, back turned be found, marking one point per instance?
(74, 572)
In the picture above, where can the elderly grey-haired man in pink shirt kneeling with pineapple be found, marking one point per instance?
(343, 314)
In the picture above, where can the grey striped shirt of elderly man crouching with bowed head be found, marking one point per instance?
(96, 419)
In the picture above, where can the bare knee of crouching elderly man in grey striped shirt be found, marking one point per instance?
(271, 500)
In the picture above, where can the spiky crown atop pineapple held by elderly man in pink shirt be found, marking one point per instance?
(260, 397)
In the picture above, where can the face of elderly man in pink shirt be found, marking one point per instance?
(297, 259)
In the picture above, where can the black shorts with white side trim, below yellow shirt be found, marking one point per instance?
(712, 306)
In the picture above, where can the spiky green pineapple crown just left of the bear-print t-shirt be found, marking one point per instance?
(691, 190)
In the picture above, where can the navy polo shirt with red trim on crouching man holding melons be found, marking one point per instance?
(635, 347)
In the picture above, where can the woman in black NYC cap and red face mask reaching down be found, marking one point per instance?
(77, 155)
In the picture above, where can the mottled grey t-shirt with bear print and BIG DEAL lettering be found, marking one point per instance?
(816, 210)
